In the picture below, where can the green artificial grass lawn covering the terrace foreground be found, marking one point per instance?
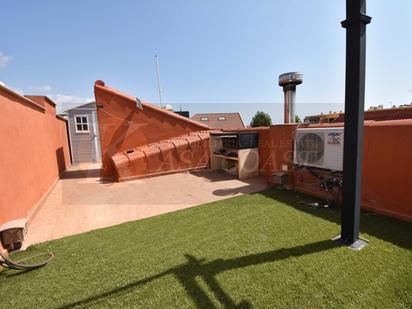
(257, 250)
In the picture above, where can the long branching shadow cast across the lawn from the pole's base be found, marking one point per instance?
(187, 273)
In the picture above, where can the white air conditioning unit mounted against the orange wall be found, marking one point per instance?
(319, 147)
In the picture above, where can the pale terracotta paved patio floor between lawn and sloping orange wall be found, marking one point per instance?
(80, 202)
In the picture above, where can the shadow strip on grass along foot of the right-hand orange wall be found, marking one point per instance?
(386, 228)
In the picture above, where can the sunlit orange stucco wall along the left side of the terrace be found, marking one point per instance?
(33, 152)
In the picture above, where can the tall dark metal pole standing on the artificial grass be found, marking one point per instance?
(355, 24)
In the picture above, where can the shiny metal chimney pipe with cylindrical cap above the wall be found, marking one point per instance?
(289, 81)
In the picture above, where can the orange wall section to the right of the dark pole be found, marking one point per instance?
(387, 168)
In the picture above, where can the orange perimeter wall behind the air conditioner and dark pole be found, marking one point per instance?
(387, 164)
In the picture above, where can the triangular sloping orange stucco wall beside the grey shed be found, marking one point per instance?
(123, 126)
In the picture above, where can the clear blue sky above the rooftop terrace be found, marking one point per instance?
(215, 56)
